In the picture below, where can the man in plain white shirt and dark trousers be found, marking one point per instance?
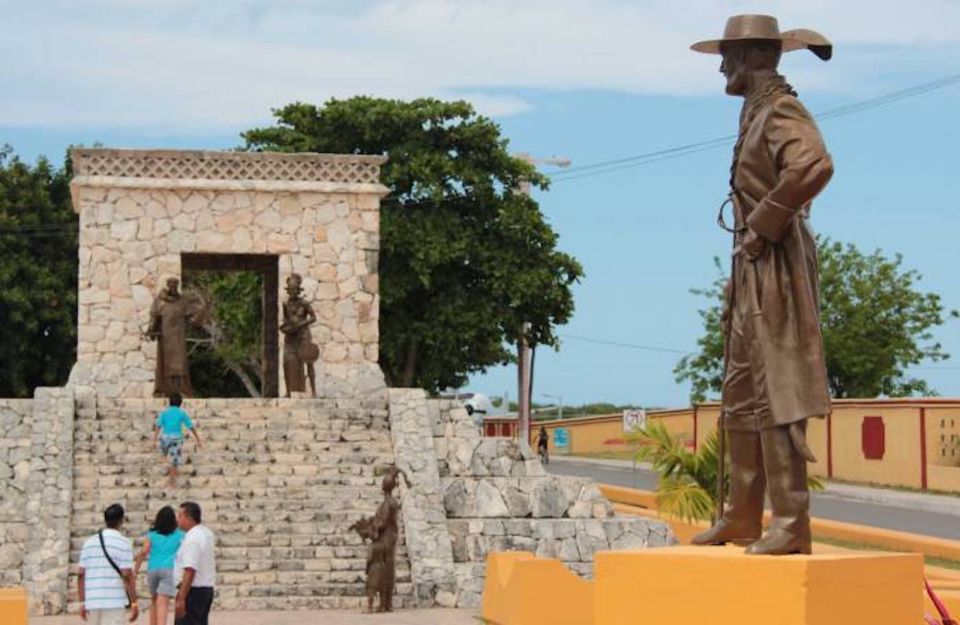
(195, 569)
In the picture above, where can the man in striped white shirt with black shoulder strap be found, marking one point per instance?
(106, 588)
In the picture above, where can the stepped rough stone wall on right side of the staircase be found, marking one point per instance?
(495, 496)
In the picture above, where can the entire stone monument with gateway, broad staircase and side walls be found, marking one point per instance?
(309, 465)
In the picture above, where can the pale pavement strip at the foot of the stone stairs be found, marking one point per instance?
(311, 617)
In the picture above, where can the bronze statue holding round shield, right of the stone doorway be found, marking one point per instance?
(299, 351)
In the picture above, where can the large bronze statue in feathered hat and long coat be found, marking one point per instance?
(774, 368)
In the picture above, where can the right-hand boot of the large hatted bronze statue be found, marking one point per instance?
(786, 477)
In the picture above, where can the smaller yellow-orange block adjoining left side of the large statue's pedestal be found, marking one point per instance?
(521, 589)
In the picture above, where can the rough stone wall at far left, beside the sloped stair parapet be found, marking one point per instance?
(16, 424)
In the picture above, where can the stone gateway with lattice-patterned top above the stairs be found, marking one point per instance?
(140, 210)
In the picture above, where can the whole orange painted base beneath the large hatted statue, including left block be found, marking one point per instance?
(697, 585)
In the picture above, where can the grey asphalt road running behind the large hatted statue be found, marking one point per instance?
(822, 505)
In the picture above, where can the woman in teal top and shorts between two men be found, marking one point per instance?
(159, 549)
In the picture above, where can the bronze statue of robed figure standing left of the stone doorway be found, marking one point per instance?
(168, 326)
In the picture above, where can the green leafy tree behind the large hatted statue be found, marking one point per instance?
(876, 323)
